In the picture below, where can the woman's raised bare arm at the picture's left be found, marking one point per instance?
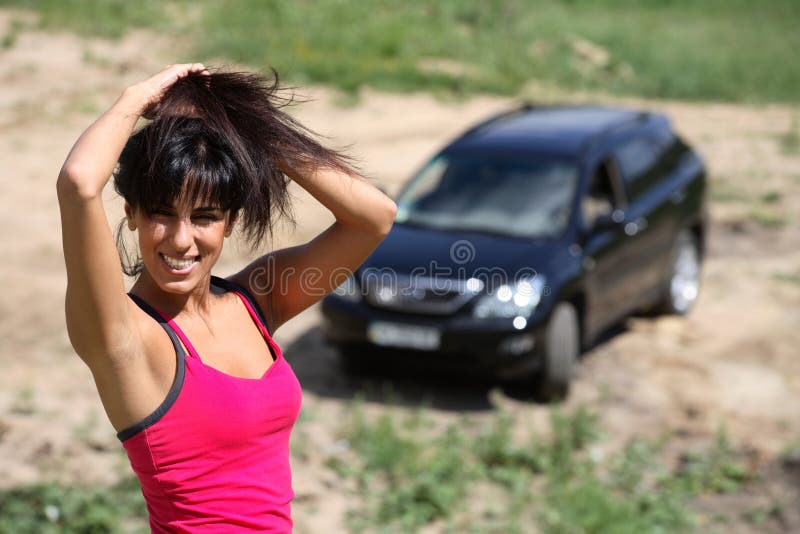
(97, 309)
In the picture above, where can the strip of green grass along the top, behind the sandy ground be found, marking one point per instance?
(716, 49)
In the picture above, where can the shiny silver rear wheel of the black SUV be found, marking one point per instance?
(683, 279)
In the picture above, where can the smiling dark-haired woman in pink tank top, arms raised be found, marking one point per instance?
(185, 366)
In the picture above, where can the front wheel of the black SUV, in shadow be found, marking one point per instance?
(560, 353)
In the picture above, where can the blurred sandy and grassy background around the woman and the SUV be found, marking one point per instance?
(673, 424)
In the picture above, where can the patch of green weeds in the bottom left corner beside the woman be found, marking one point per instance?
(55, 508)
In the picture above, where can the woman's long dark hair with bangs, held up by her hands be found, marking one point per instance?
(225, 139)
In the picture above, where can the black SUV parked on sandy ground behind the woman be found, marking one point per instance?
(524, 239)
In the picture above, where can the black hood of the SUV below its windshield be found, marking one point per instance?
(418, 251)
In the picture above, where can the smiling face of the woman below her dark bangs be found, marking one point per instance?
(180, 244)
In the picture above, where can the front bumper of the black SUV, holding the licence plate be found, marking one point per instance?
(462, 342)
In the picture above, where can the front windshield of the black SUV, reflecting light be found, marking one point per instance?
(519, 196)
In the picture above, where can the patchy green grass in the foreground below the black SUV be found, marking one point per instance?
(409, 474)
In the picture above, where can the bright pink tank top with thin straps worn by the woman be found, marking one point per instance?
(214, 456)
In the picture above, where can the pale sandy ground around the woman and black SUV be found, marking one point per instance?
(732, 362)
